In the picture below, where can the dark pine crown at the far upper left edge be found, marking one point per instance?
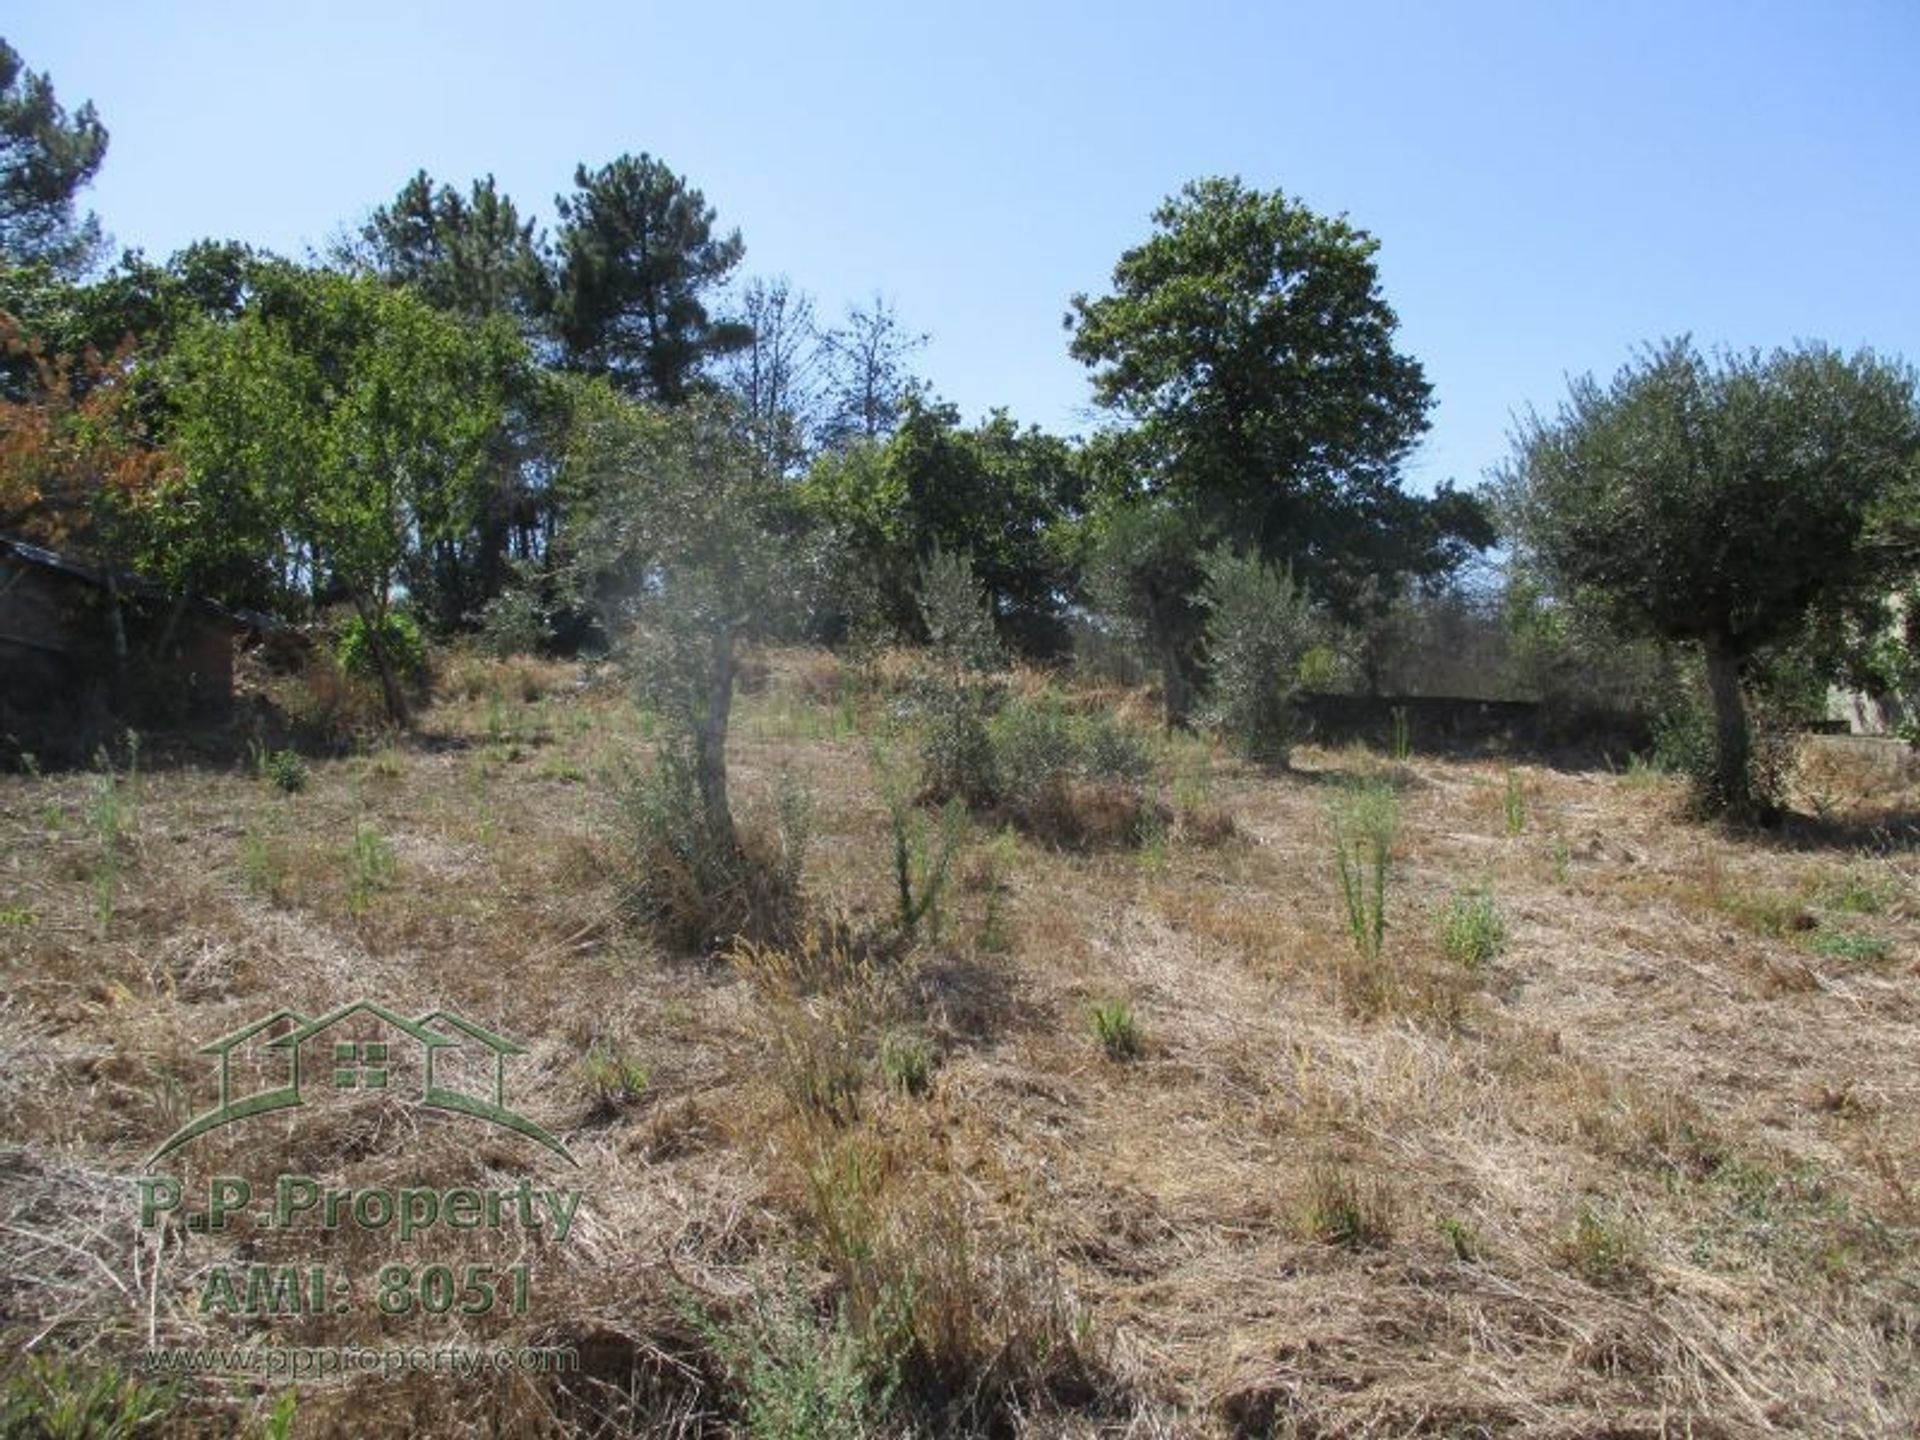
(47, 158)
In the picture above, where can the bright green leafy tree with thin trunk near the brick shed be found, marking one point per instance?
(329, 435)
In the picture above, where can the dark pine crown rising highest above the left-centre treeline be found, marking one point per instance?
(638, 260)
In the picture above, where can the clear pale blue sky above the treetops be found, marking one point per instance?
(1552, 183)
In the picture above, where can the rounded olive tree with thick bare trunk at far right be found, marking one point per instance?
(1717, 502)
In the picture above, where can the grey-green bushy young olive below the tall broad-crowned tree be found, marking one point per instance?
(1259, 631)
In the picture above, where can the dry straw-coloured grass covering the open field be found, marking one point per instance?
(1650, 1168)
